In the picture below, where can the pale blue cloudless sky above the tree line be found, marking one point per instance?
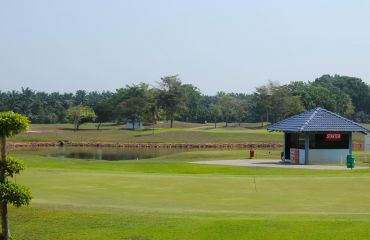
(231, 46)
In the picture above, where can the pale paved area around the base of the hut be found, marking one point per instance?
(271, 163)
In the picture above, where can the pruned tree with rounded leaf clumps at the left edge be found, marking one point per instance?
(10, 124)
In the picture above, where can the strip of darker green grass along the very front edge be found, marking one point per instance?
(79, 225)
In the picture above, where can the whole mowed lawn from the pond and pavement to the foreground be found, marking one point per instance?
(169, 198)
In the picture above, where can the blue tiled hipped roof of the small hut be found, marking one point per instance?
(317, 120)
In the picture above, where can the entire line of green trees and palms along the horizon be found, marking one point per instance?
(173, 100)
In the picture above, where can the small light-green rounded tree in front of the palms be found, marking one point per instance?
(79, 115)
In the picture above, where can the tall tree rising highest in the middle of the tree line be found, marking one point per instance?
(171, 96)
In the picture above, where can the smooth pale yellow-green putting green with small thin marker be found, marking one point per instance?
(190, 193)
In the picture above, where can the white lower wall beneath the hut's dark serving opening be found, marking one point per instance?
(328, 156)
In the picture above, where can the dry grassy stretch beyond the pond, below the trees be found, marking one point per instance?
(181, 133)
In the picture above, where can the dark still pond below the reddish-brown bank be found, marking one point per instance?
(110, 154)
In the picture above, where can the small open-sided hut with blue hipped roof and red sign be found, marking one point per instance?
(317, 136)
